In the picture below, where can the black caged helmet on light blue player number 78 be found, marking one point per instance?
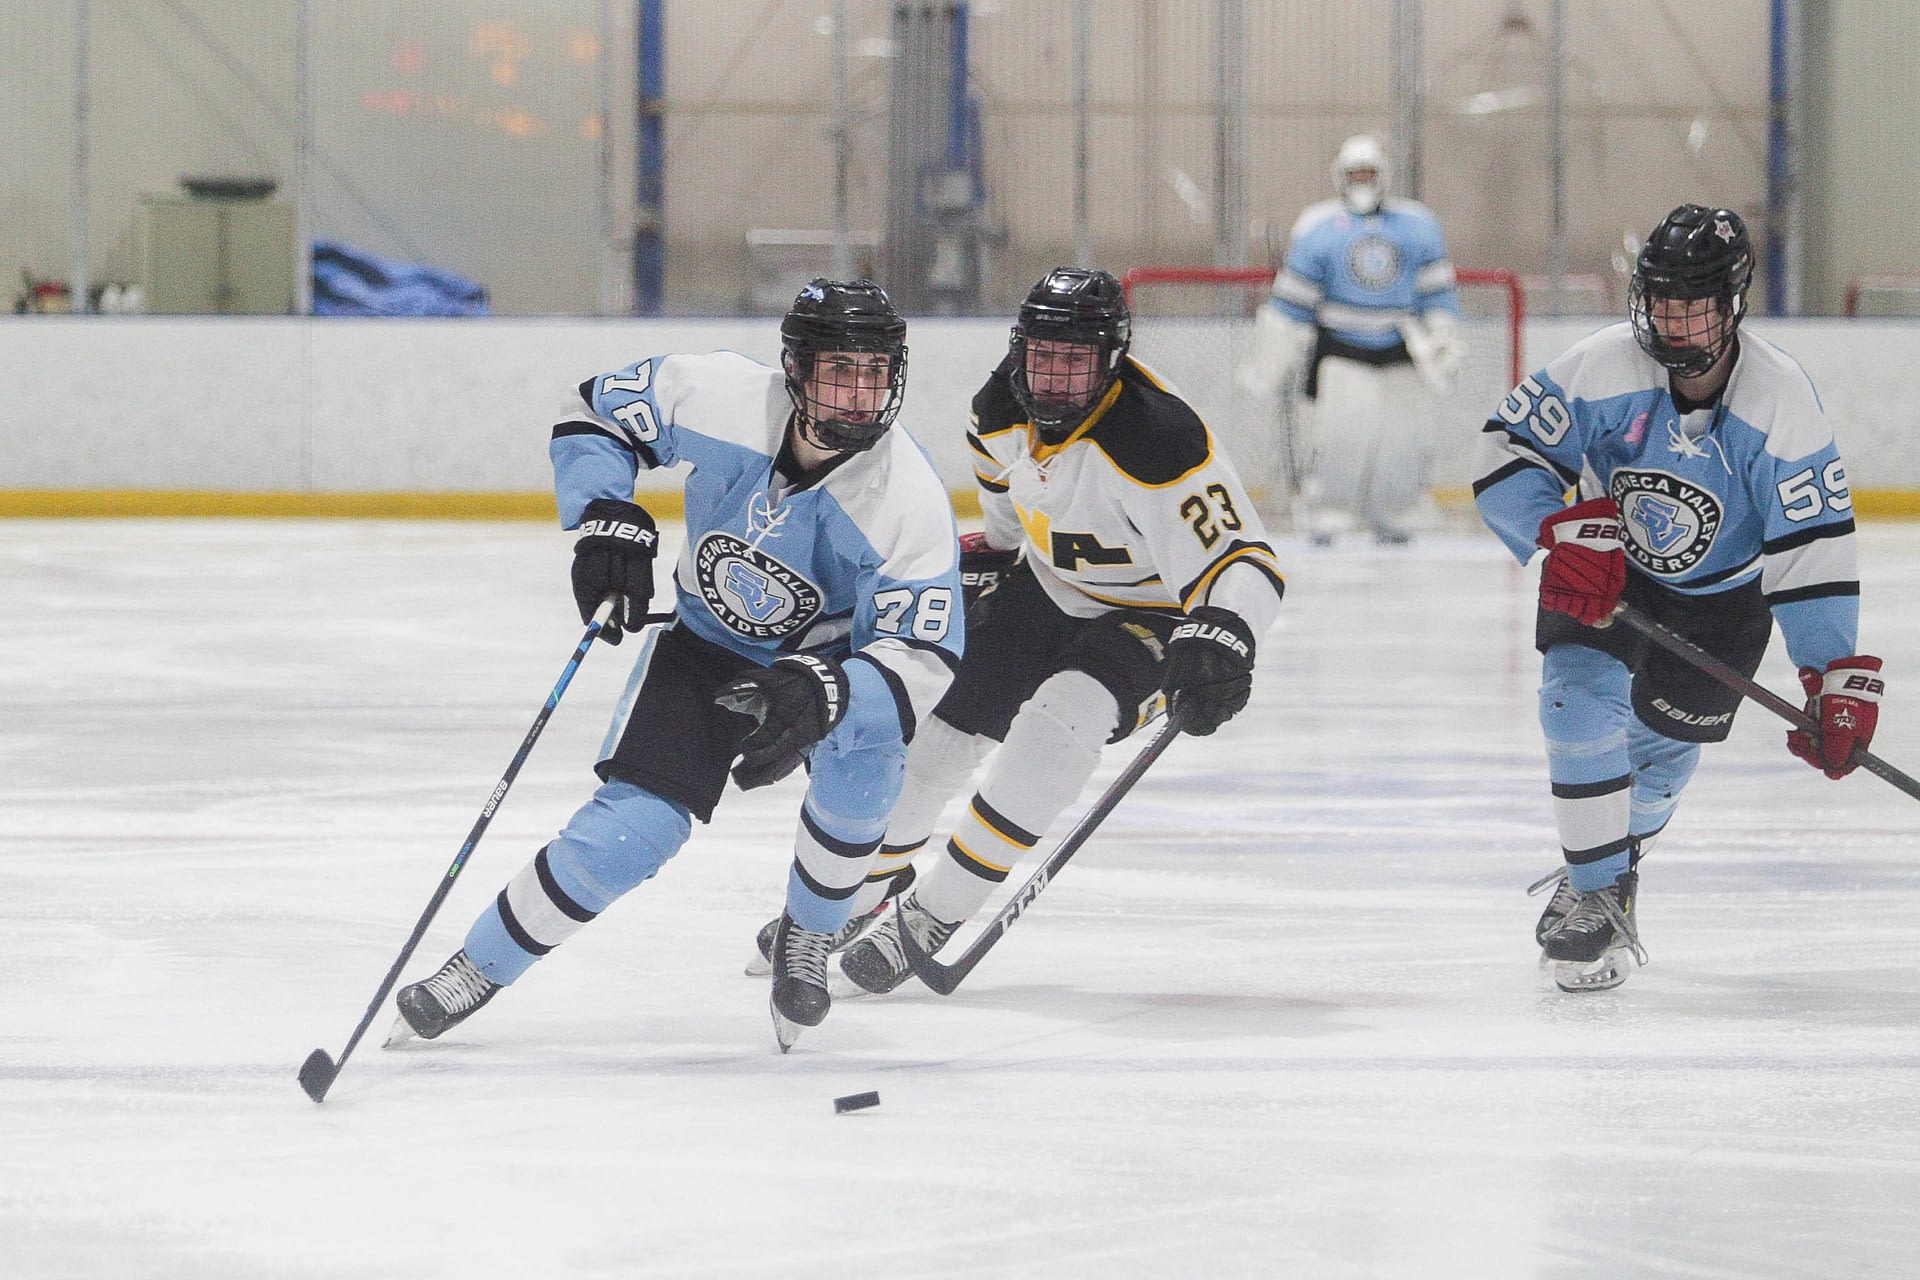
(840, 318)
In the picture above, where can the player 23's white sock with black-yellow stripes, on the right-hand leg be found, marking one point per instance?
(1045, 763)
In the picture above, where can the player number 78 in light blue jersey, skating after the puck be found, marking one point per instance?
(817, 621)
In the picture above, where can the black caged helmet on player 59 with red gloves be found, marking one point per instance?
(1696, 252)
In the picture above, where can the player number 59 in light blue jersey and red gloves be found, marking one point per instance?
(1708, 494)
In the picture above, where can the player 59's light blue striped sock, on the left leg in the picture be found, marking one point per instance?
(1585, 713)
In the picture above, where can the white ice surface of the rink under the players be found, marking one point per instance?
(1280, 1018)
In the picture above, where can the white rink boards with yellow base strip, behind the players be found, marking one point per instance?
(291, 406)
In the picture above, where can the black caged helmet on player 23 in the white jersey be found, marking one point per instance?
(1084, 308)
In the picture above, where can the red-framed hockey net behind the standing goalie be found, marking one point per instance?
(1193, 327)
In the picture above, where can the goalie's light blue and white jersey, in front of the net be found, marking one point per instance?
(1362, 275)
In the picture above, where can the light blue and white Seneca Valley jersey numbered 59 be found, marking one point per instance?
(1746, 486)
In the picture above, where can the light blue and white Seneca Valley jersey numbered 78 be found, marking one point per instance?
(859, 563)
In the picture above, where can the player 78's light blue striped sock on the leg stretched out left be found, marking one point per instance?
(615, 843)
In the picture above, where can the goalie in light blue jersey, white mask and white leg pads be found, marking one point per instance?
(1362, 327)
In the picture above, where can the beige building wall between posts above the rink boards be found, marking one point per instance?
(468, 133)
